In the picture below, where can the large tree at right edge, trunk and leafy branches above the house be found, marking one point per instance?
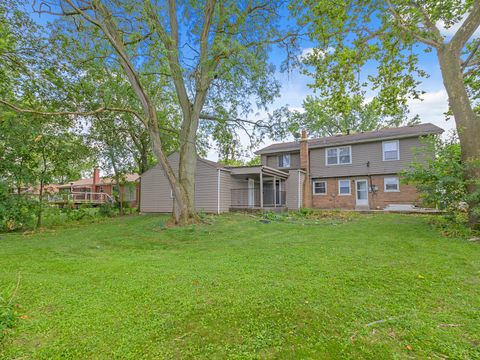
(376, 45)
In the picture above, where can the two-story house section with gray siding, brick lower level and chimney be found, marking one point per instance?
(354, 171)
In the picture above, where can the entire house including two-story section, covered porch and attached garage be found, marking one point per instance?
(353, 171)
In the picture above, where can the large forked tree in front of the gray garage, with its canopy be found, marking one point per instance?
(213, 53)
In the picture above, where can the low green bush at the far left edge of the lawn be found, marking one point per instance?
(17, 212)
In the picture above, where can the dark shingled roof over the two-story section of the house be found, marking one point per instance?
(368, 136)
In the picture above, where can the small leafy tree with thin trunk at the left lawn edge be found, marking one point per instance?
(35, 151)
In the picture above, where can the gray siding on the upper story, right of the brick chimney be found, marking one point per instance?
(361, 155)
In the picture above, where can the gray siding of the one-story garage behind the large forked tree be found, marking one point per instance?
(156, 191)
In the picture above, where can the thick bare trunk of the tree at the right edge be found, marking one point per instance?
(467, 123)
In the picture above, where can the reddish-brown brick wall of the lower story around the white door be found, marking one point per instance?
(377, 200)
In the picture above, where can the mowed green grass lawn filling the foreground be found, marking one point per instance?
(378, 287)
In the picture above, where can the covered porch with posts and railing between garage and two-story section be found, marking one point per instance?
(257, 187)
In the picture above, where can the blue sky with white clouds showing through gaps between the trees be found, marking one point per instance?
(295, 88)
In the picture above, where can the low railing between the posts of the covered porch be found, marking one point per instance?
(250, 198)
